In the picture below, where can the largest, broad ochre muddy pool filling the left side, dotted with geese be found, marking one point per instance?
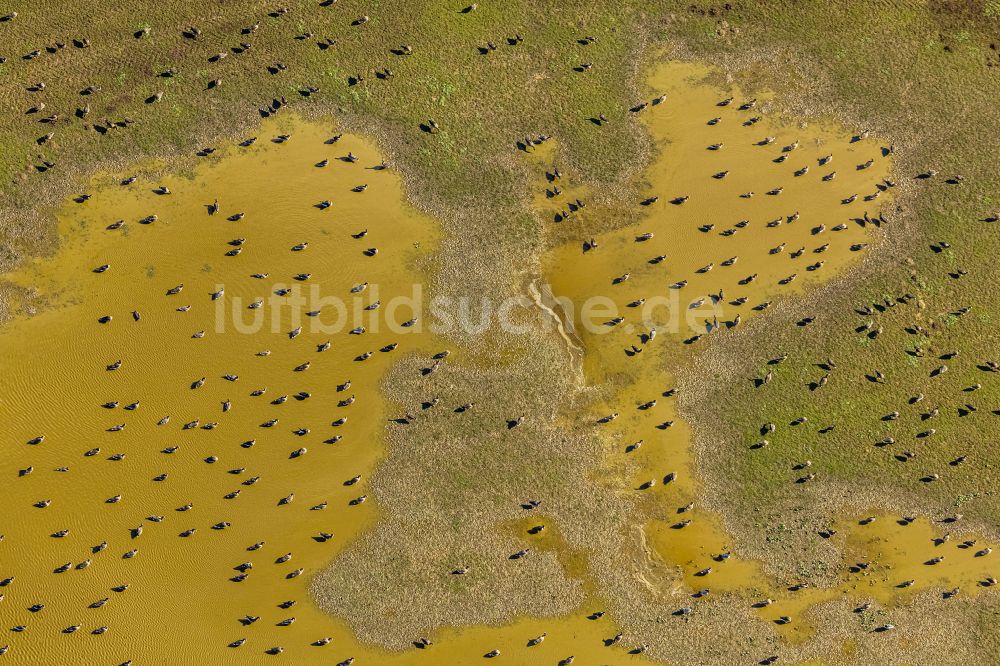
(55, 384)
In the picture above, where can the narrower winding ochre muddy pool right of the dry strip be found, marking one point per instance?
(703, 256)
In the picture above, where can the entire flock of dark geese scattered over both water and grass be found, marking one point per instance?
(431, 126)
